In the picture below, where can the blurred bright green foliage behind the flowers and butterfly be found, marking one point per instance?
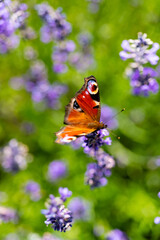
(129, 201)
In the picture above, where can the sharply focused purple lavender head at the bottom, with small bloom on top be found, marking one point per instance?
(57, 215)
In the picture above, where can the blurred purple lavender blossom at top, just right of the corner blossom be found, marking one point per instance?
(55, 25)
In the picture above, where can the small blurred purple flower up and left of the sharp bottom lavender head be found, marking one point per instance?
(33, 189)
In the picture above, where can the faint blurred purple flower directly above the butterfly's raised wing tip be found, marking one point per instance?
(83, 59)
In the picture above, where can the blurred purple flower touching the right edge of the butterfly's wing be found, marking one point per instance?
(107, 117)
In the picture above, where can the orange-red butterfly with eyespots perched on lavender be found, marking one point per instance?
(82, 114)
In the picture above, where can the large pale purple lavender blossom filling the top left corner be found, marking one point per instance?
(12, 15)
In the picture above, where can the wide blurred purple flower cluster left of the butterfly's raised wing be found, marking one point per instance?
(36, 82)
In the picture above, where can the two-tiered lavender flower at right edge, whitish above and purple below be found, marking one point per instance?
(142, 51)
